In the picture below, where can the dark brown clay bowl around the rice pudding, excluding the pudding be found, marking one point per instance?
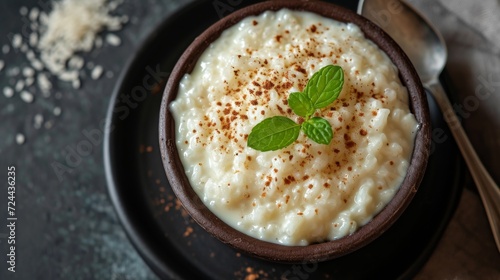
(319, 251)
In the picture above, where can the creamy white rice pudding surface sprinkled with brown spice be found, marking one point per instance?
(306, 192)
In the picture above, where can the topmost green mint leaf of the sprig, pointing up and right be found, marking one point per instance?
(325, 86)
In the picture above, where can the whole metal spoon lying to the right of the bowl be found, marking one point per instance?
(427, 50)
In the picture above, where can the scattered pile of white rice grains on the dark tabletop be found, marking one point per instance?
(51, 40)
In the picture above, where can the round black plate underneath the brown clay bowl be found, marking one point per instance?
(177, 248)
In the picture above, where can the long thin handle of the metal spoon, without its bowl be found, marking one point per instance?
(488, 190)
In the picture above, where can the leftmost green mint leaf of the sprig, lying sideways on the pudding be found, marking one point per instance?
(273, 134)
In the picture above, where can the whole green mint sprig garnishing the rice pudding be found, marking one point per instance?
(321, 90)
